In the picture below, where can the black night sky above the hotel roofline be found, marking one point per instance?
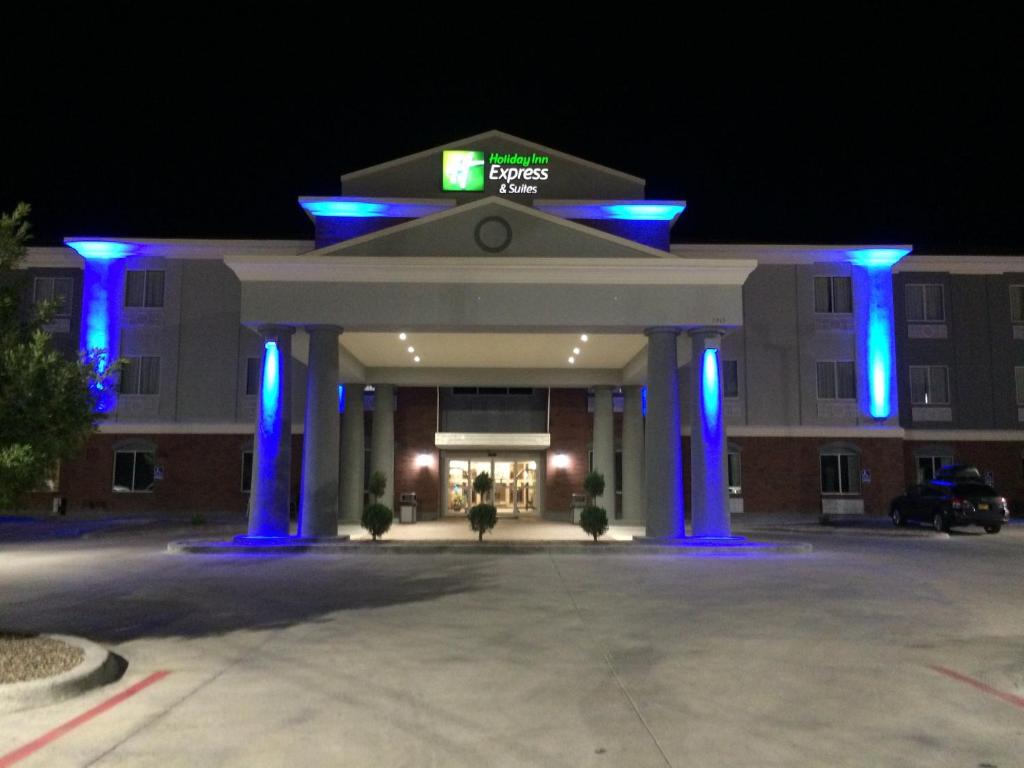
(199, 133)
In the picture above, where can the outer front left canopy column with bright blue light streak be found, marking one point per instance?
(273, 439)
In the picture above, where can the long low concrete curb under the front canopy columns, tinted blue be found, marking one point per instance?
(682, 549)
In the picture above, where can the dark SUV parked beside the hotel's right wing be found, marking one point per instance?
(957, 497)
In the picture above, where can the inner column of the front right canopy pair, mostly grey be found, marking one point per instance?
(663, 447)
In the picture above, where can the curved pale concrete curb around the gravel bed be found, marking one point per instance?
(99, 668)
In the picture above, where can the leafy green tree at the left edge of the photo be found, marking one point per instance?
(48, 403)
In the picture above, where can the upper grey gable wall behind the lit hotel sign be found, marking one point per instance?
(568, 177)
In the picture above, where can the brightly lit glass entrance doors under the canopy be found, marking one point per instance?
(515, 491)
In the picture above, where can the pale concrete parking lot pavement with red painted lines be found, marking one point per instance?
(837, 658)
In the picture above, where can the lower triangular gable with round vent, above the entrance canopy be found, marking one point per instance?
(492, 227)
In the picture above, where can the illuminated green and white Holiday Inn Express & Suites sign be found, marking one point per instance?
(468, 170)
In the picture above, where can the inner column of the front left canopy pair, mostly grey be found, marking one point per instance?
(319, 510)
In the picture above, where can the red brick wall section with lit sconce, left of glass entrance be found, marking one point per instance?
(415, 424)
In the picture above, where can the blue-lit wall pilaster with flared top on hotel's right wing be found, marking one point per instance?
(874, 316)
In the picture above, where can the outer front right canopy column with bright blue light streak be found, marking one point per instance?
(709, 477)
